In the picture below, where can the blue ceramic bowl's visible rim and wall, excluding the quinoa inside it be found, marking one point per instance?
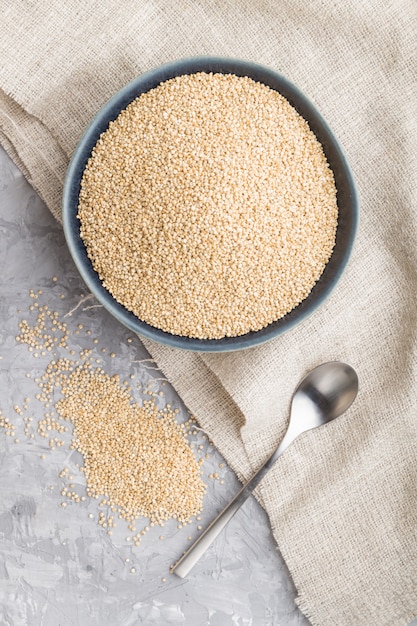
(346, 199)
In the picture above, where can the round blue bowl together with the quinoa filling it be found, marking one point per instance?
(209, 206)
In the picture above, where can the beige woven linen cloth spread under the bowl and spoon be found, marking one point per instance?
(343, 500)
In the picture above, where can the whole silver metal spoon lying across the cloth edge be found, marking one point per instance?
(324, 394)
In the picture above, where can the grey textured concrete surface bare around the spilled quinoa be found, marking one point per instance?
(58, 567)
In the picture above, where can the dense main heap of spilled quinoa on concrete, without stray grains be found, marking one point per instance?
(136, 455)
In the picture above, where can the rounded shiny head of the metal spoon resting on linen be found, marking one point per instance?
(330, 389)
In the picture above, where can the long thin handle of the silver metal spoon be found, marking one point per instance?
(193, 554)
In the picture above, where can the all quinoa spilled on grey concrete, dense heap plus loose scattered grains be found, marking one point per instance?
(137, 459)
